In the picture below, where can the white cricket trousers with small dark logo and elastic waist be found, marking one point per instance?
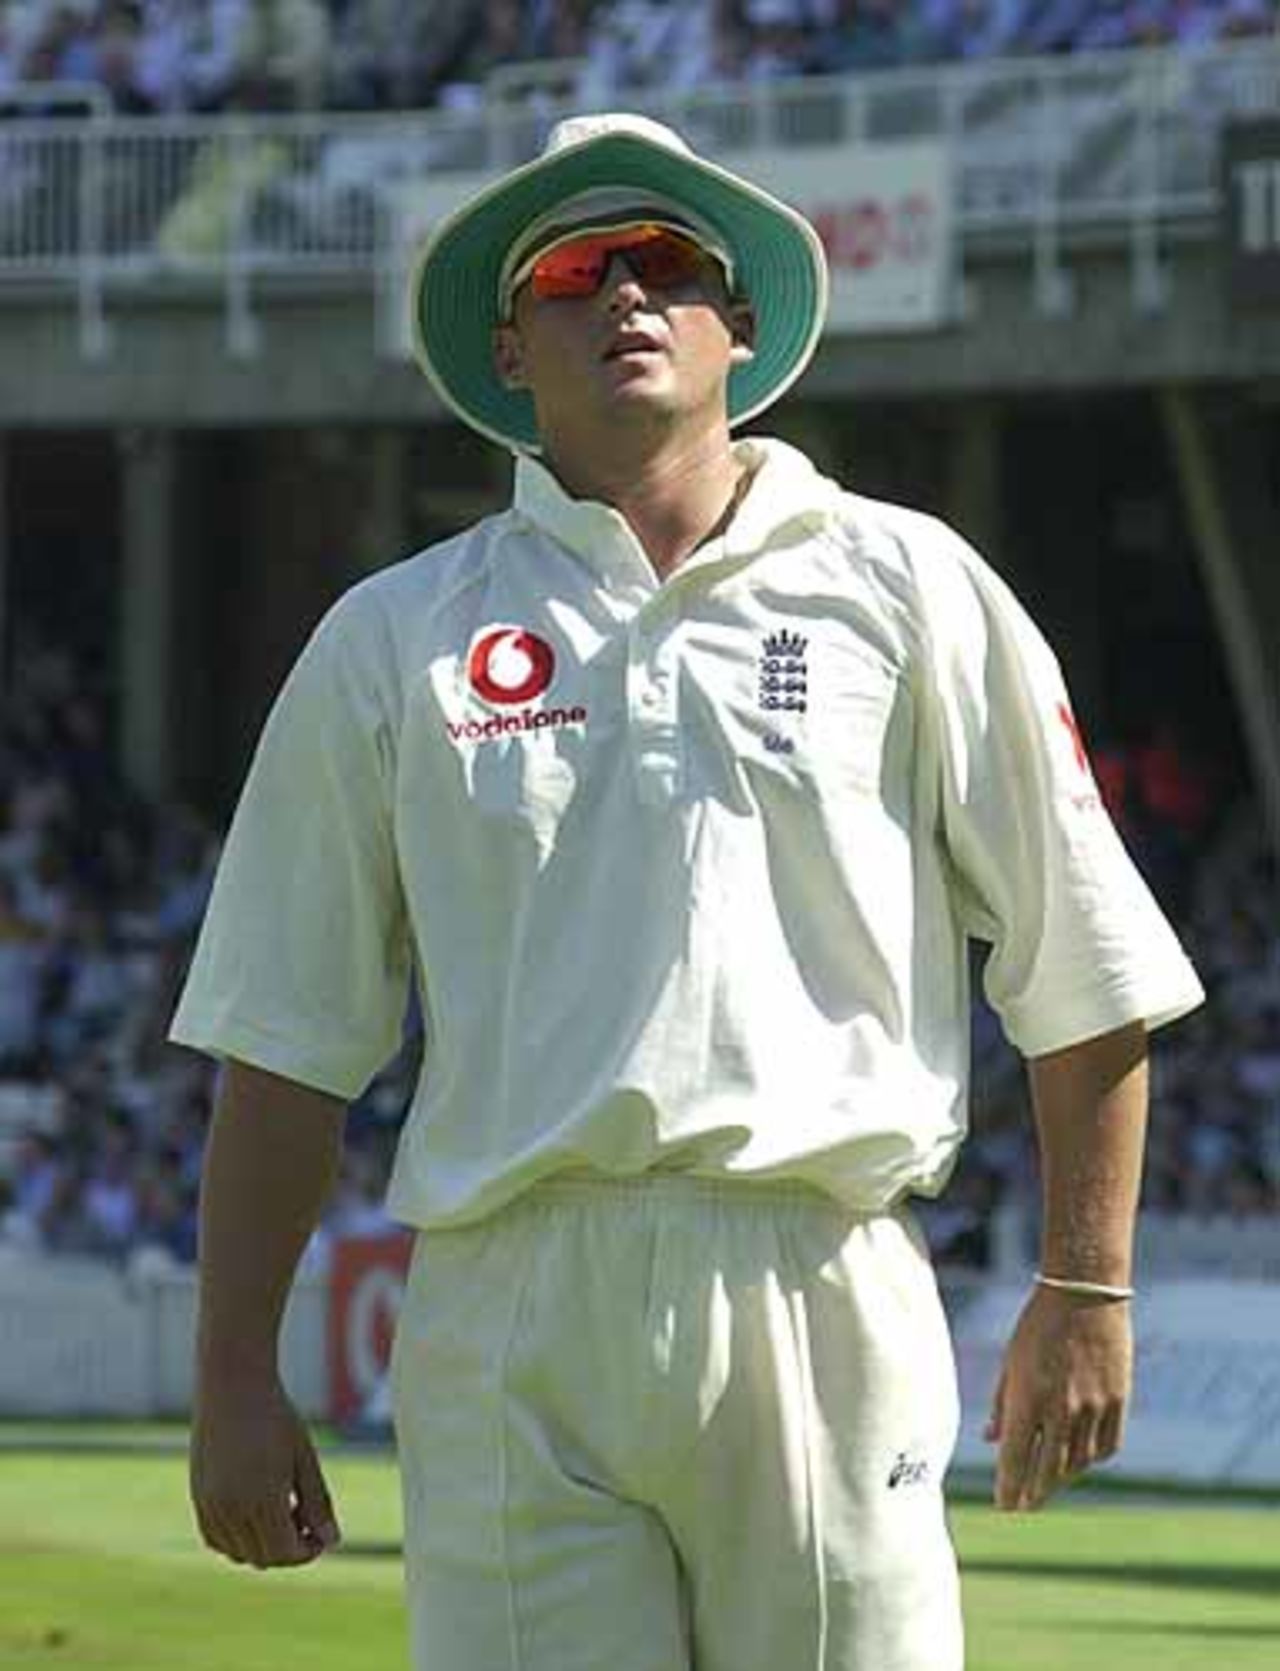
(678, 1426)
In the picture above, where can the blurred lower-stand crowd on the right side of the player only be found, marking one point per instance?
(1214, 1147)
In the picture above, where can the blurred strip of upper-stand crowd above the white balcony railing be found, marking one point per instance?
(206, 56)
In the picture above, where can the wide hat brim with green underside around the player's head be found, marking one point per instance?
(778, 262)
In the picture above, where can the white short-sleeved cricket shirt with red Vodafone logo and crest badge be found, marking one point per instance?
(686, 870)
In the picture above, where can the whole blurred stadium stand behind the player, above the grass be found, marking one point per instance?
(1055, 238)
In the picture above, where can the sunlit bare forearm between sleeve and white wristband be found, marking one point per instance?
(1092, 1122)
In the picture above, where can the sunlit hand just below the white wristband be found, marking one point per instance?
(1064, 1393)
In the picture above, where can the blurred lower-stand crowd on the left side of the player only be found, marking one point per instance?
(101, 1120)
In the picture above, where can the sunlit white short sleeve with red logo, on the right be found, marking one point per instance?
(1079, 945)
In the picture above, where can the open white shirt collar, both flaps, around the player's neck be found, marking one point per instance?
(786, 490)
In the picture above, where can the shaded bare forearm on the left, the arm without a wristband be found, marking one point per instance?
(270, 1167)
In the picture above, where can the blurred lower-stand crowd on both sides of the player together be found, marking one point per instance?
(103, 1122)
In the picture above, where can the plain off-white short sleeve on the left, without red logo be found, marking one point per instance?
(303, 960)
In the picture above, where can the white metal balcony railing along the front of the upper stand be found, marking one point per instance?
(1049, 153)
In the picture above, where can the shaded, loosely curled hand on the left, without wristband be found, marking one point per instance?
(257, 1485)
